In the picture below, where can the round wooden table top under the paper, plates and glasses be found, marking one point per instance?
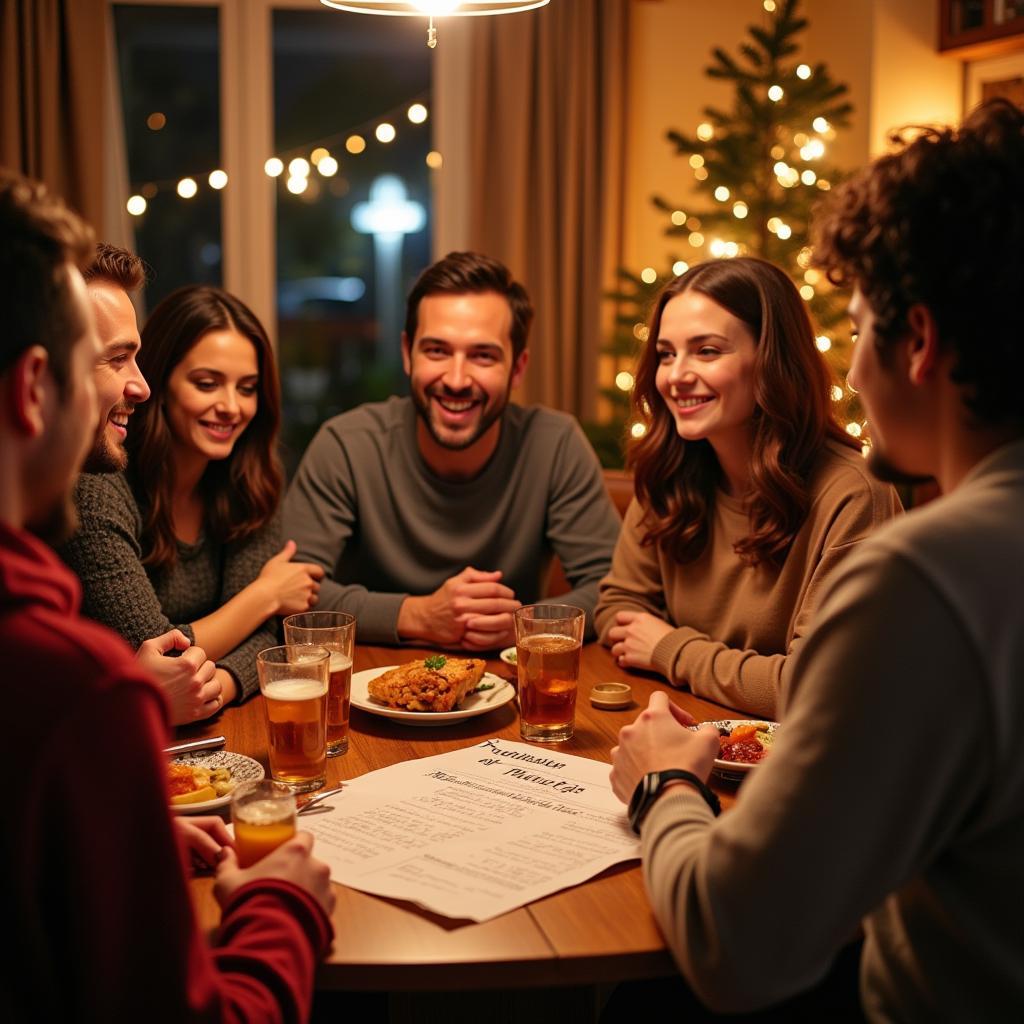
(600, 932)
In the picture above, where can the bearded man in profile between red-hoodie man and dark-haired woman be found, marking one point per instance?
(190, 681)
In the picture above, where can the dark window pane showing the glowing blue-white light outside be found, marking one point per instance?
(342, 292)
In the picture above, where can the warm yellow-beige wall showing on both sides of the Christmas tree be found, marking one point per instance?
(883, 50)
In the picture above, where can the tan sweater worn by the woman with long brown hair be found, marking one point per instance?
(739, 626)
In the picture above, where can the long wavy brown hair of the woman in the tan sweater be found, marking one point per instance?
(676, 481)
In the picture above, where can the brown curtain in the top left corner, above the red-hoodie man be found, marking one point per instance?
(53, 63)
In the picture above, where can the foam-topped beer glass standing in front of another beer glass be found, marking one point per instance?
(293, 680)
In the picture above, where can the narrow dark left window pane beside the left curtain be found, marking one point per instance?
(170, 95)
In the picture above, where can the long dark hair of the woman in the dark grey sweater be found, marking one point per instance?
(240, 494)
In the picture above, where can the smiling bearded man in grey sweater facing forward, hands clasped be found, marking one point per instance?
(437, 517)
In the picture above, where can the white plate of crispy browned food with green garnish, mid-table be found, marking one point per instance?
(435, 691)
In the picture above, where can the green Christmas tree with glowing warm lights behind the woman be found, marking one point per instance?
(759, 167)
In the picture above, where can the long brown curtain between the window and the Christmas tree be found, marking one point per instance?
(545, 151)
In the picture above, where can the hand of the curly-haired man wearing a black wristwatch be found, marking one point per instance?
(658, 741)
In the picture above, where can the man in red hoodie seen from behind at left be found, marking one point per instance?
(93, 869)
